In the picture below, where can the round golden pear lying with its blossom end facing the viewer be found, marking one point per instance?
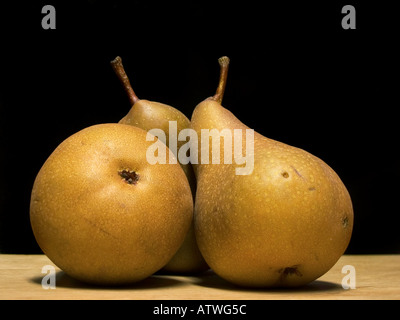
(102, 213)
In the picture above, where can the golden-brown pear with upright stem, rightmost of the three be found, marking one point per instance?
(283, 223)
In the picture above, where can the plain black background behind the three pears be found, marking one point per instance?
(296, 76)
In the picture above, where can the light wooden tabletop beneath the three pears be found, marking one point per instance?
(376, 277)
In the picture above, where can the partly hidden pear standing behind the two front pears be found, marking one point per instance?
(149, 115)
